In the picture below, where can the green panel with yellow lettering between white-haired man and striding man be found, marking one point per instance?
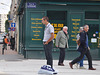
(76, 22)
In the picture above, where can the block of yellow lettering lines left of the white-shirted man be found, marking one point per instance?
(36, 28)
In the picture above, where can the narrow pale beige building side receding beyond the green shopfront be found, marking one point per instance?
(13, 18)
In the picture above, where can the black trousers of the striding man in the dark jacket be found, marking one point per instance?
(88, 55)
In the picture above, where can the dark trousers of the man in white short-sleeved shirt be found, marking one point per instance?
(48, 53)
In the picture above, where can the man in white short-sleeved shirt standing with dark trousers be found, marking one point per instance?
(48, 40)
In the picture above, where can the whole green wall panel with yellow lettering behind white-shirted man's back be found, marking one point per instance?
(36, 29)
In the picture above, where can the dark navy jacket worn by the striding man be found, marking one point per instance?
(83, 46)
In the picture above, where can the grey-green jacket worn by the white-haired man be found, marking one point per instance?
(62, 39)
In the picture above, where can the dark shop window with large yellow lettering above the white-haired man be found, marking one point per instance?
(58, 19)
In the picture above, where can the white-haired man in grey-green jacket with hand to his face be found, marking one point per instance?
(62, 43)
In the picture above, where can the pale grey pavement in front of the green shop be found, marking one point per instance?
(15, 64)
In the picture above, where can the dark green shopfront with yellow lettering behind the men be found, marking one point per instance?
(30, 30)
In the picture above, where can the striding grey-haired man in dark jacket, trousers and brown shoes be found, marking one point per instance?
(83, 49)
